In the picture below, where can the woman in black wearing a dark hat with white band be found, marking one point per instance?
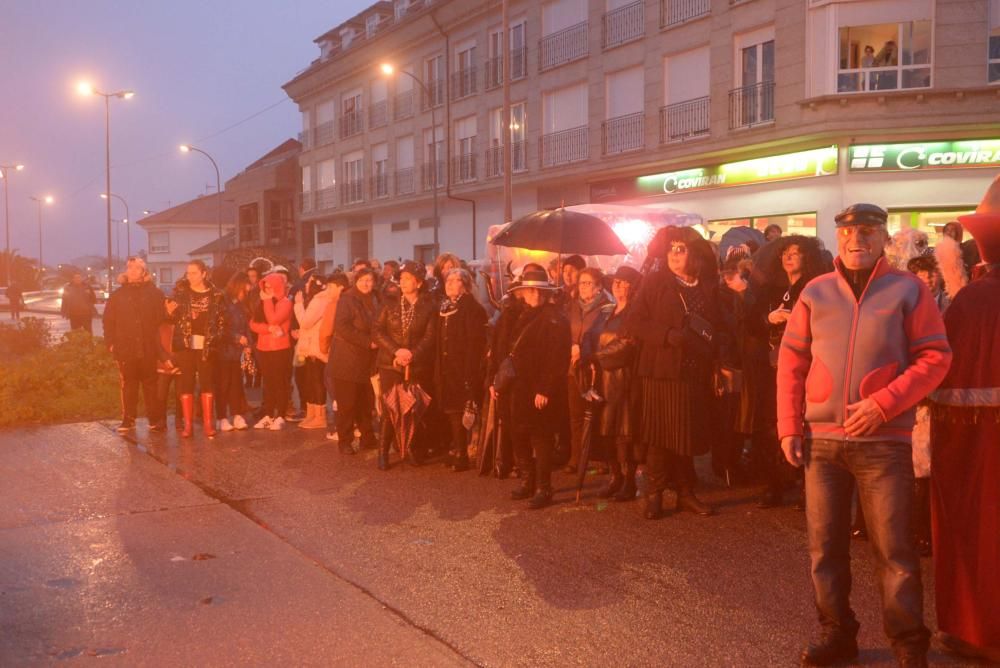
(539, 350)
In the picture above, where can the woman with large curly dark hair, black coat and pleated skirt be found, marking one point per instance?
(678, 323)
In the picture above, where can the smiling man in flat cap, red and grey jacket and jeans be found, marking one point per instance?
(863, 345)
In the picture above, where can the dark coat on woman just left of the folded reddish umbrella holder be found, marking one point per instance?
(351, 355)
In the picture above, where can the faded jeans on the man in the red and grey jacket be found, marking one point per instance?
(883, 472)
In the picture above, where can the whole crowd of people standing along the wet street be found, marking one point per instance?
(768, 358)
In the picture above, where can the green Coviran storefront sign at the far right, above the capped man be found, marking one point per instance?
(928, 155)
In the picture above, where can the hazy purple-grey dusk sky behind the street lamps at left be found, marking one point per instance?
(197, 67)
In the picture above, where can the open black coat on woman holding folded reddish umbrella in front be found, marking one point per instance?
(419, 339)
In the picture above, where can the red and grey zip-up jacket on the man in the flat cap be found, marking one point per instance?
(889, 345)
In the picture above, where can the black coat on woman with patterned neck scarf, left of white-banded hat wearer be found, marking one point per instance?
(461, 348)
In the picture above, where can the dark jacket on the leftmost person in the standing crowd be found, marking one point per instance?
(132, 319)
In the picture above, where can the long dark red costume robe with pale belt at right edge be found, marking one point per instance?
(965, 478)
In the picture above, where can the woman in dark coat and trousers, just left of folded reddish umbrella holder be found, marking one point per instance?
(352, 353)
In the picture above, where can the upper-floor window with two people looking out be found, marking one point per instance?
(886, 56)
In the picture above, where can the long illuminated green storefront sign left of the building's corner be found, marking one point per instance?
(804, 164)
